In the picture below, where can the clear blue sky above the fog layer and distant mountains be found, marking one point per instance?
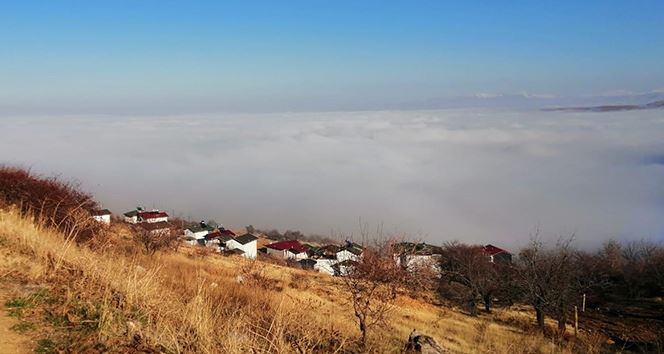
(97, 55)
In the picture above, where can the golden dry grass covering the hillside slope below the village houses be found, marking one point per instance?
(192, 302)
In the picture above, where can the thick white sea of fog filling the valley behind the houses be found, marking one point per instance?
(473, 175)
